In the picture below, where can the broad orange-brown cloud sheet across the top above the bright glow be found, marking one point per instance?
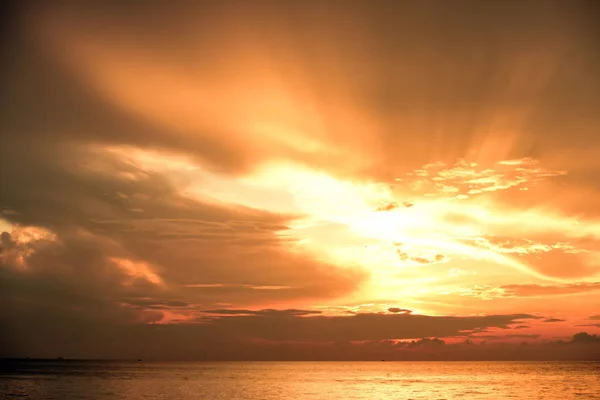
(284, 111)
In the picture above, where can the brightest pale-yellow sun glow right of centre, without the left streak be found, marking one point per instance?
(386, 229)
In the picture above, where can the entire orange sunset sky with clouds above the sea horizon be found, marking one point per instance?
(279, 180)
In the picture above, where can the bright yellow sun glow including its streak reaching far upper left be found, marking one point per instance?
(428, 222)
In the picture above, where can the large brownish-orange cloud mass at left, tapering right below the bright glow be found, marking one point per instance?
(86, 237)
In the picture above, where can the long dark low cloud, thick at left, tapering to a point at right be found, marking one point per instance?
(78, 324)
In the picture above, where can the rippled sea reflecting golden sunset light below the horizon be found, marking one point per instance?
(301, 380)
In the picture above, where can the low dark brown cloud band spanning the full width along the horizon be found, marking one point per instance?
(226, 337)
